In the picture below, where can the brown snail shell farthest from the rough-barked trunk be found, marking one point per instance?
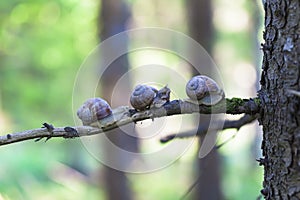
(92, 110)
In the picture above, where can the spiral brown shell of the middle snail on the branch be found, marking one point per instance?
(142, 97)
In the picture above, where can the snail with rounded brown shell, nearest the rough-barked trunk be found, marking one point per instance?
(204, 90)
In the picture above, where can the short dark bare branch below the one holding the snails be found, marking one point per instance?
(202, 130)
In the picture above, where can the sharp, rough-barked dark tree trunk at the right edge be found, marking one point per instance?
(280, 115)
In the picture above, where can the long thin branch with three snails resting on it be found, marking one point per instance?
(175, 107)
